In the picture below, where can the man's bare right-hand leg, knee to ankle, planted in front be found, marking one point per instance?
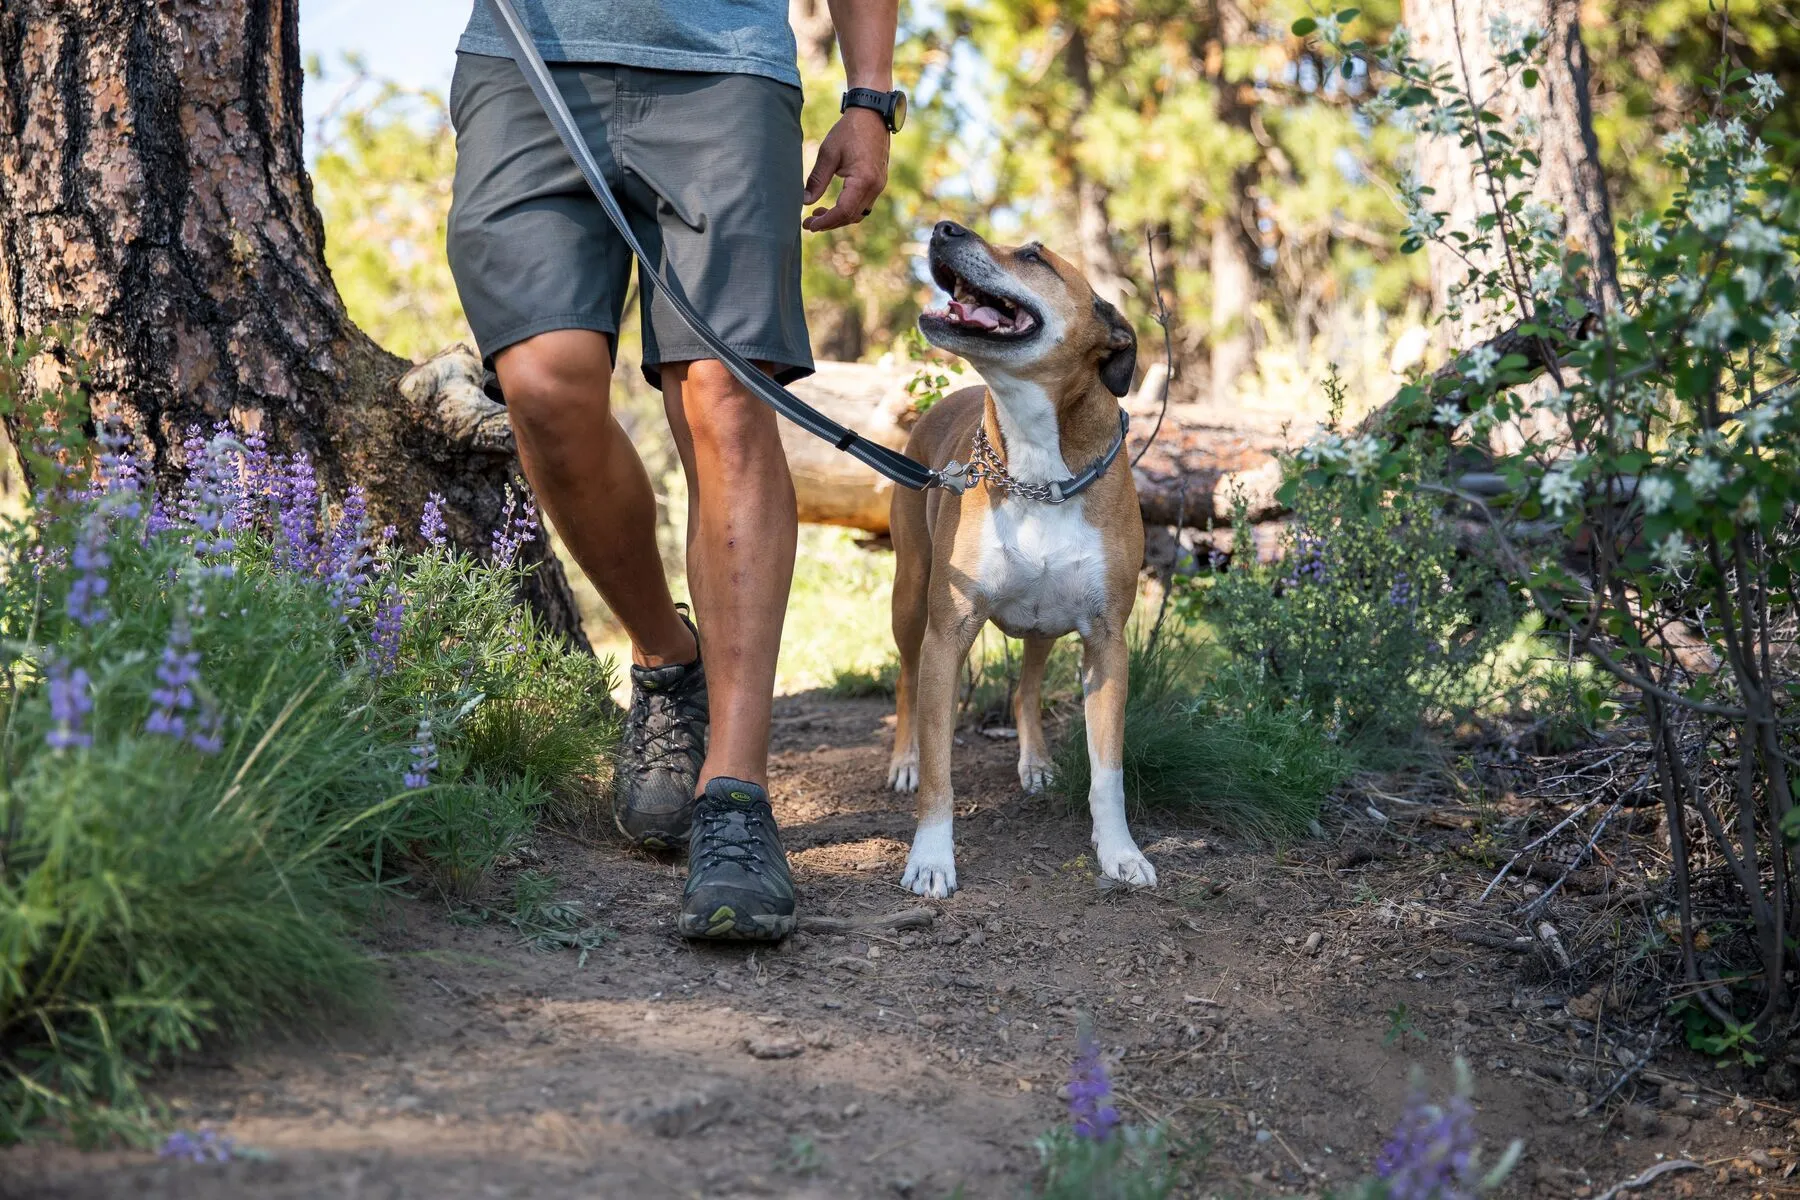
(741, 555)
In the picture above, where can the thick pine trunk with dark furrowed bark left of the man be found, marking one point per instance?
(152, 184)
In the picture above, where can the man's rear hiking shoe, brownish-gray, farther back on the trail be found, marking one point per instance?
(661, 751)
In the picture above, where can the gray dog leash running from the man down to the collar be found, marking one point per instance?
(890, 463)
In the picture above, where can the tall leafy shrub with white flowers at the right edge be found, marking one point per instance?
(1666, 445)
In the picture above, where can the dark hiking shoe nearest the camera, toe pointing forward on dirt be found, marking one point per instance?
(739, 884)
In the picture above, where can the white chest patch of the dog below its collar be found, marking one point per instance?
(1041, 569)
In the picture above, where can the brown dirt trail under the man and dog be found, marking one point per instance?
(930, 1061)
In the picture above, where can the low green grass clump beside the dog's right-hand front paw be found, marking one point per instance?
(1207, 746)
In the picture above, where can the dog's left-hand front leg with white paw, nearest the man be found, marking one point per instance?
(931, 866)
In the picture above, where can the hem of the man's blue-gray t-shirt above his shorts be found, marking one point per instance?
(721, 37)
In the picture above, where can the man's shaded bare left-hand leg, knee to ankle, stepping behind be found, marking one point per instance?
(593, 485)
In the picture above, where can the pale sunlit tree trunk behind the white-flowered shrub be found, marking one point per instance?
(1457, 35)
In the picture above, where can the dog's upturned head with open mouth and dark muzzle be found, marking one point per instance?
(1025, 312)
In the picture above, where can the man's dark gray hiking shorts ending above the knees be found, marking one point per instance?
(708, 170)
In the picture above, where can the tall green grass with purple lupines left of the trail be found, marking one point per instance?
(157, 891)
